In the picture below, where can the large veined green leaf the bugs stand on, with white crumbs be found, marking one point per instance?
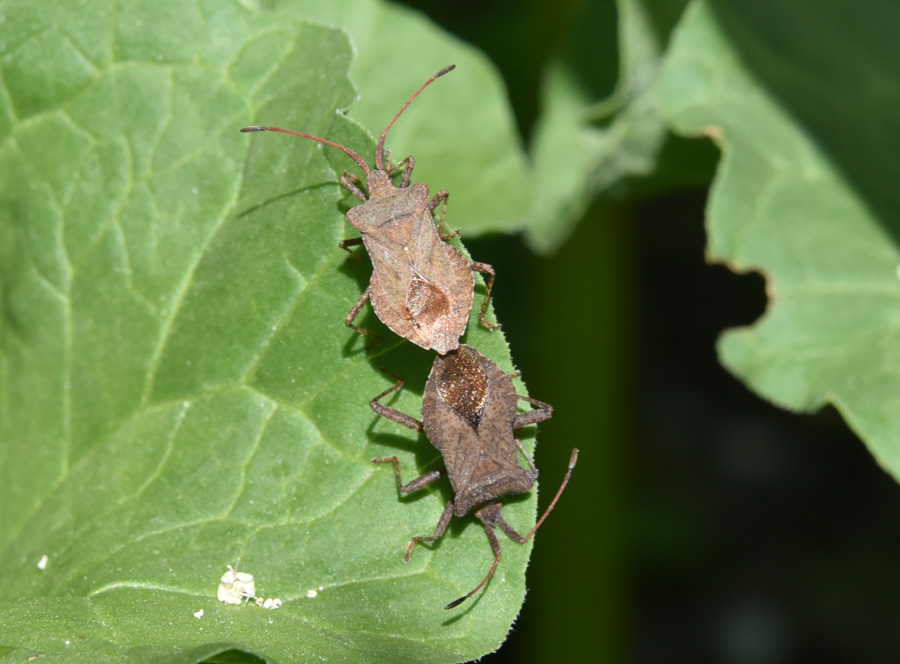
(178, 391)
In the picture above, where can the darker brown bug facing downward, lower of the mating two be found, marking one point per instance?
(469, 413)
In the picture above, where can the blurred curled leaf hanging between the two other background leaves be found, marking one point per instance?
(599, 127)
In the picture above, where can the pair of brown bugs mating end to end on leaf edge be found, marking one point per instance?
(423, 289)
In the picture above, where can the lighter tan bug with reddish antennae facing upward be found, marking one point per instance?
(421, 288)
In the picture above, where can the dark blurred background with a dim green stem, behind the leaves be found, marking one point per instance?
(702, 524)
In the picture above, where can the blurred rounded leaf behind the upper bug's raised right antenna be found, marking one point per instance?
(462, 132)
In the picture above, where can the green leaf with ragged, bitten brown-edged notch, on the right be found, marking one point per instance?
(802, 99)
